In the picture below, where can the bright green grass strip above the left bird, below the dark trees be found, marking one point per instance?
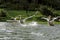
(14, 13)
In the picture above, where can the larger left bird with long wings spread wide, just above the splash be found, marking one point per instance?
(22, 21)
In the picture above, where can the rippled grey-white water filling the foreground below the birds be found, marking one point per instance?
(30, 31)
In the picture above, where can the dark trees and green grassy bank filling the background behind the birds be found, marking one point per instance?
(26, 8)
